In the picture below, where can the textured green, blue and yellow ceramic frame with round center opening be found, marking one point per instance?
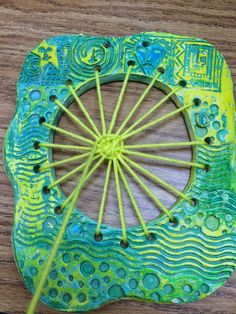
(186, 261)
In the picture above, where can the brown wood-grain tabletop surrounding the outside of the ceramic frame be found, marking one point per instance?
(23, 24)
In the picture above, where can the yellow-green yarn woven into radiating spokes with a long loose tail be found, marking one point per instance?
(109, 147)
